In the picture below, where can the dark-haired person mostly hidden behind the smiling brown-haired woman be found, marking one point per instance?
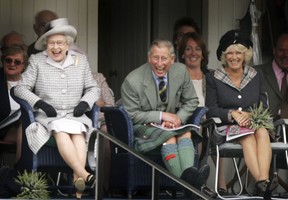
(182, 26)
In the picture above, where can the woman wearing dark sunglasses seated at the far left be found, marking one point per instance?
(14, 60)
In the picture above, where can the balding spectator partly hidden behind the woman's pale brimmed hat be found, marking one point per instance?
(40, 20)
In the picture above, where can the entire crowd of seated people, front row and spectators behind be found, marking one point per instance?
(165, 90)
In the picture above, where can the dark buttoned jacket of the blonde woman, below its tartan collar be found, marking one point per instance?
(221, 97)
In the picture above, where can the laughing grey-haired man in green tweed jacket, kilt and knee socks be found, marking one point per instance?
(140, 97)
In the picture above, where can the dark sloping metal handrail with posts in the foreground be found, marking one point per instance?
(156, 169)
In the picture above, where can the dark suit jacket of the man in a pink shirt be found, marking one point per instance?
(271, 87)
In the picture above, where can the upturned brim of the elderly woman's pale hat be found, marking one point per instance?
(64, 30)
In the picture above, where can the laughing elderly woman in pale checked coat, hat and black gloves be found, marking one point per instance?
(59, 85)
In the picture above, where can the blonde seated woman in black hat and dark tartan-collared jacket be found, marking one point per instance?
(230, 93)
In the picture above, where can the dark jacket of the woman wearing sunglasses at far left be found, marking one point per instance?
(5, 108)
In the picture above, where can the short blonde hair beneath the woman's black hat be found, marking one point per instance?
(248, 53)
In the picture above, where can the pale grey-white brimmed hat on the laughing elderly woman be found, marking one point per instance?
(57, 26)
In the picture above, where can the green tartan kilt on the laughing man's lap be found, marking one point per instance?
(148, 138)
